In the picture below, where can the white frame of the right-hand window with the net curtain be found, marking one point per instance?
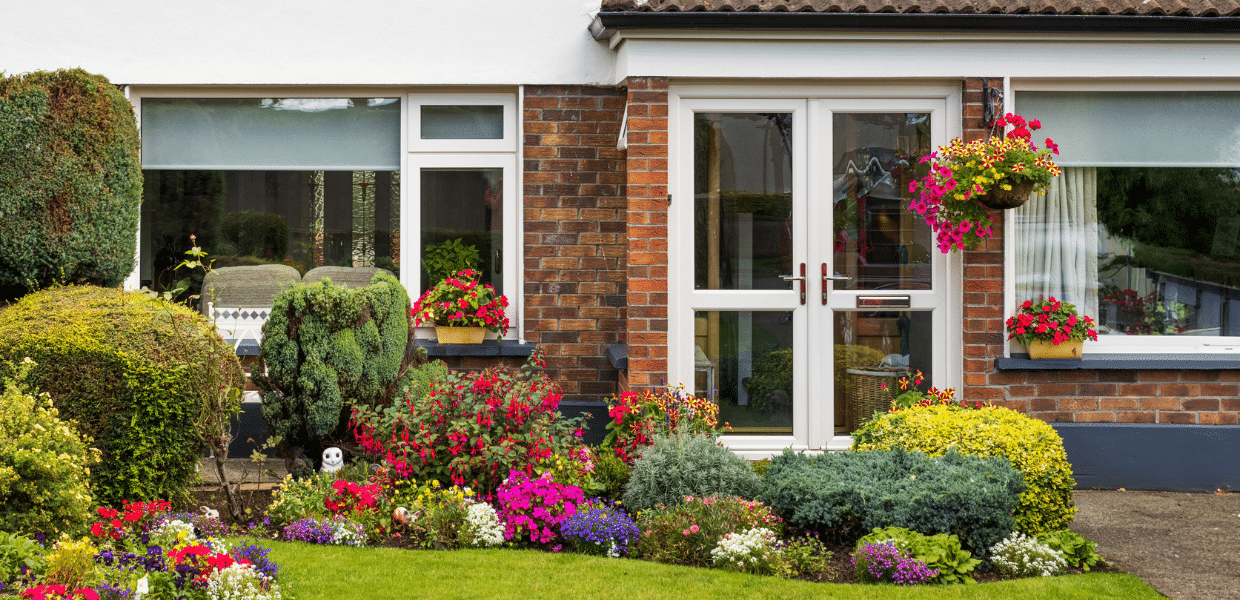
(1113, 344)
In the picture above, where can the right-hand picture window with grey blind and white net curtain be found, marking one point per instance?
(1143, 231)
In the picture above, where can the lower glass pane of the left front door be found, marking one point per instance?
(743, 360)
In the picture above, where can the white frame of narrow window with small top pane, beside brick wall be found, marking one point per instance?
(463, 154)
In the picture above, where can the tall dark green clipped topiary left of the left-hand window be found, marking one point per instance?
(70, 182)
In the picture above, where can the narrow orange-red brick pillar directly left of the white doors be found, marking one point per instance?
(647, 232)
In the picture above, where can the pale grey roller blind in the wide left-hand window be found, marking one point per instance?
(287, 135)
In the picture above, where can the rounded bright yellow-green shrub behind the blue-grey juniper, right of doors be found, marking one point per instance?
(1032, 446)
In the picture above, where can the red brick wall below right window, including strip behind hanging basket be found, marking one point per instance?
(1191, 397)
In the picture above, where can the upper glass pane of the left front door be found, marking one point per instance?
(743, 201)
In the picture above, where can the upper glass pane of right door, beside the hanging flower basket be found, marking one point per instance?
(877, 241)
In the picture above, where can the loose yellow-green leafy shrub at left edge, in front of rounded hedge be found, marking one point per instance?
(44, 470)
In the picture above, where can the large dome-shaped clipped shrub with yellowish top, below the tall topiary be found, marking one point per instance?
(128, 369)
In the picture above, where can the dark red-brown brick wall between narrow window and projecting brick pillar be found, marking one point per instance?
(575, 232)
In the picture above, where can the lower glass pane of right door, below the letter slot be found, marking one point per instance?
(876, 349)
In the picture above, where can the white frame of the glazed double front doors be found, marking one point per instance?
(809, 428)
